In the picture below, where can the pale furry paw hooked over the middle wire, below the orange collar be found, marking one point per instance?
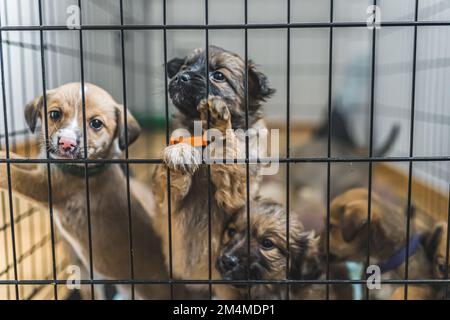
(182, 157)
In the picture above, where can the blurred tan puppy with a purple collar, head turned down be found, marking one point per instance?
(349, 233)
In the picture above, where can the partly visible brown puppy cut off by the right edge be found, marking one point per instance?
(436, 245)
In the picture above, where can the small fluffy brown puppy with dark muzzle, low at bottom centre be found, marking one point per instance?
(268, 256)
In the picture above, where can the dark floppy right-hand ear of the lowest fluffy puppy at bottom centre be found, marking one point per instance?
(305, 258)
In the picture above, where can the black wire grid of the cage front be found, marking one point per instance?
(11, 135)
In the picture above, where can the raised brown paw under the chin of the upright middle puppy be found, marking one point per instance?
(220, 117)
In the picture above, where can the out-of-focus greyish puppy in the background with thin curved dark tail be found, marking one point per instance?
(309, 180)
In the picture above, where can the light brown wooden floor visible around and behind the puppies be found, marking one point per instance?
(33, 244)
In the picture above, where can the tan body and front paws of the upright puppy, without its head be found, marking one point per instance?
(189, 197)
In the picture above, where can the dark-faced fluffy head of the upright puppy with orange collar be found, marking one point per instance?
(226, 79)
